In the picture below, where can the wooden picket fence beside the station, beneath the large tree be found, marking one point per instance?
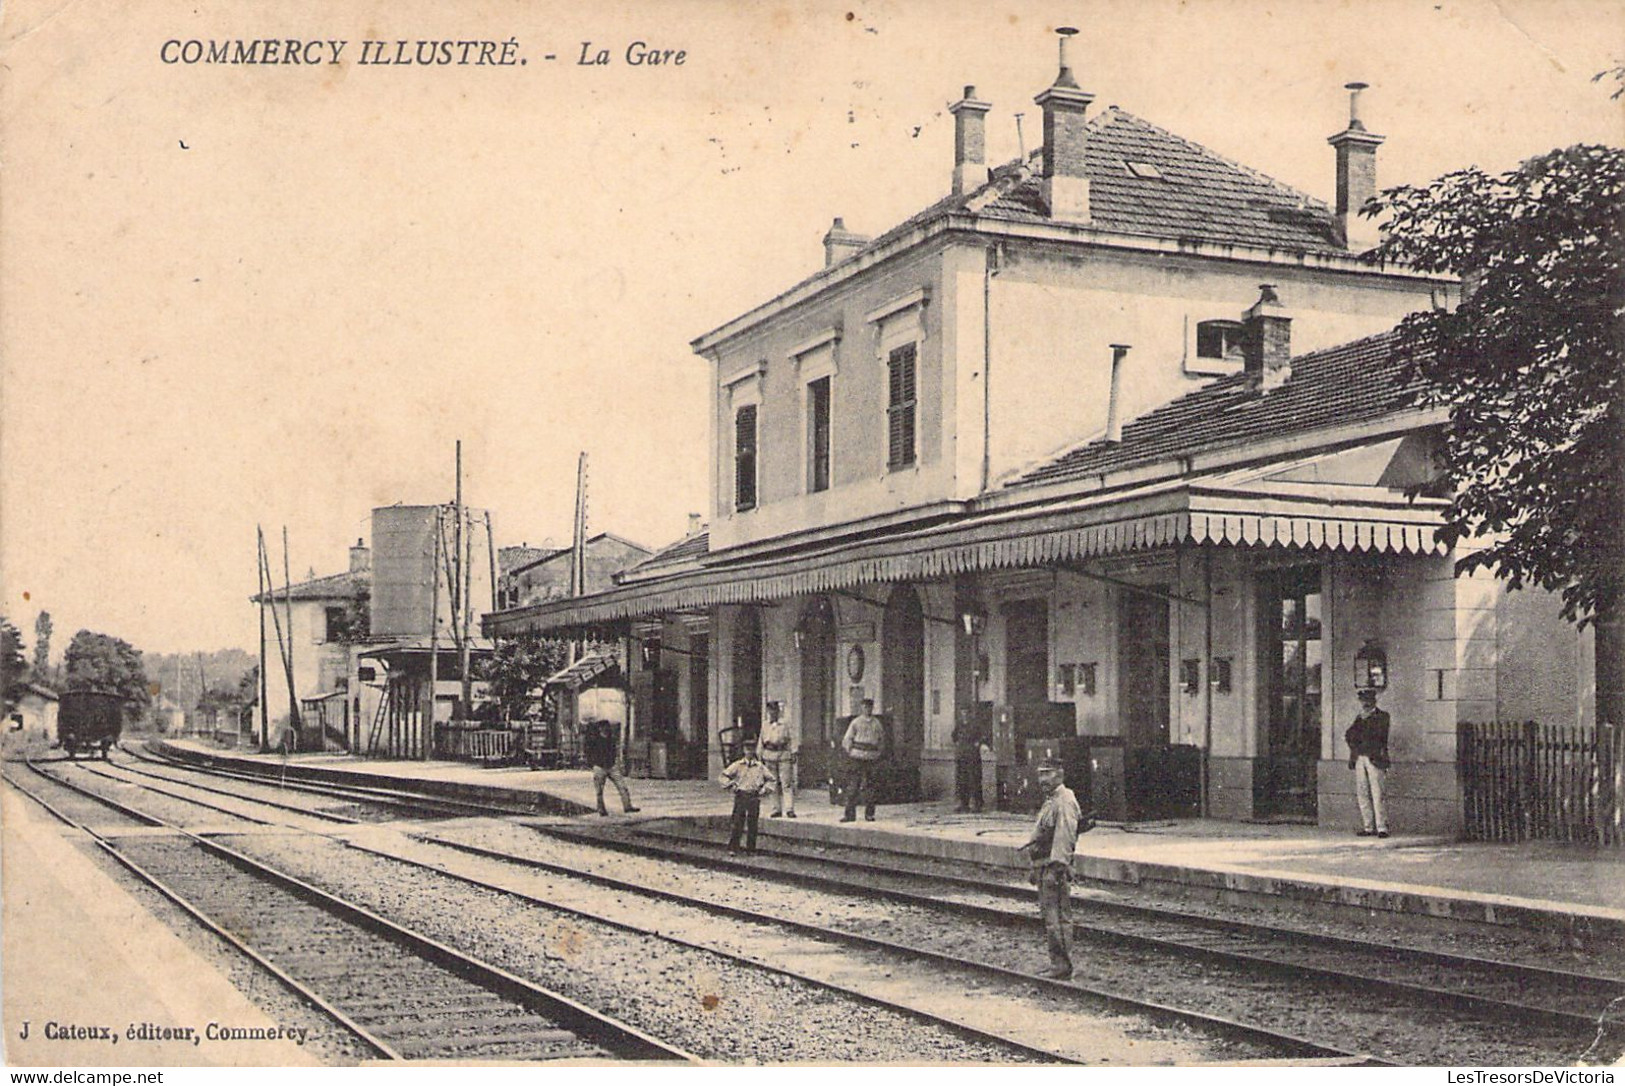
(1543, 783)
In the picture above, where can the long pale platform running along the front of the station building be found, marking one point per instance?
(1549, 887)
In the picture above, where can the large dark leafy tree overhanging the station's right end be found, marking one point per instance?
(1530, 365)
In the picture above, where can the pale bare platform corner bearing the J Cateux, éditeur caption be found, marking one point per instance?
(87, 962)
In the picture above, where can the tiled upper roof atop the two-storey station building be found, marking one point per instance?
(1195, 194)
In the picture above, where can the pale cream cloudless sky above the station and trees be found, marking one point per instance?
(279, 295)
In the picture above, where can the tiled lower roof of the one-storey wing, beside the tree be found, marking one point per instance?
(1350, 383)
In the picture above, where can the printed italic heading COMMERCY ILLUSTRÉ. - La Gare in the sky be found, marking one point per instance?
(462, 53)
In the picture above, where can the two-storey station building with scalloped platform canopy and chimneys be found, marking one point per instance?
(1106, 451)
